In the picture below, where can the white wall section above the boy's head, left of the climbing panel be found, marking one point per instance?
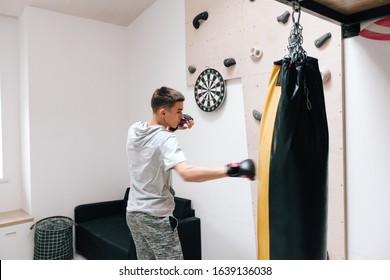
(156, 53)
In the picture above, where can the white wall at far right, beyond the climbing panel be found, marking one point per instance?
(367, 98)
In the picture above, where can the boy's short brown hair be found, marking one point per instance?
(165, 96)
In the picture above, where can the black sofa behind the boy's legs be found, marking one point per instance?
(101, 231)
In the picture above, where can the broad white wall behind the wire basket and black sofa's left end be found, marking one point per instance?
(74, 82)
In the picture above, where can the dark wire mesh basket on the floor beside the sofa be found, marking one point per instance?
(53, 238)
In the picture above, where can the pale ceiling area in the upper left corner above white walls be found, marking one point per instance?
(120, 12)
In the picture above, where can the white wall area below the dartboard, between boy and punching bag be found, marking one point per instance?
(224, 206)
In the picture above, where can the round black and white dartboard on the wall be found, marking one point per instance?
(209, 90)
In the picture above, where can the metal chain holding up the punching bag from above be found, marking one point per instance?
(295, 40)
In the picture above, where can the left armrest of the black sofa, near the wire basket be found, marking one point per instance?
(96, 210)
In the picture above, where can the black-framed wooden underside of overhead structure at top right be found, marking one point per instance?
(345, 12)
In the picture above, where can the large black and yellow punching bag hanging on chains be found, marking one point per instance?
(293, 164)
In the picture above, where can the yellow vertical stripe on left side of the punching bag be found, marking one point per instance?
(266, 134)
